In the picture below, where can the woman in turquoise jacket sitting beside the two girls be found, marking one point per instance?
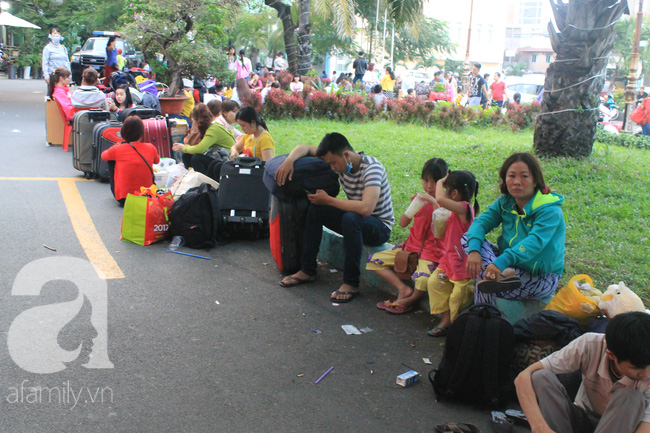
(528, 261)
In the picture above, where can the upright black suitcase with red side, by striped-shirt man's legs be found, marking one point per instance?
(286, 225)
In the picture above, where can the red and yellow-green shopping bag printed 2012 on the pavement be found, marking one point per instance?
(146, 216)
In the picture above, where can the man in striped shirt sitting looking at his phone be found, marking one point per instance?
(365, 217)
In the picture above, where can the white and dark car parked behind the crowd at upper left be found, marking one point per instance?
(93, 53)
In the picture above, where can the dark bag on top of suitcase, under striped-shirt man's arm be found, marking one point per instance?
(309, 174)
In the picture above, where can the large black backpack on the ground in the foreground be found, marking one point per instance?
(477, 363)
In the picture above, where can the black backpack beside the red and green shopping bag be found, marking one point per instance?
(197, 217)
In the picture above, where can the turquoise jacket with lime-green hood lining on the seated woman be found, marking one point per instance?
(532, 241)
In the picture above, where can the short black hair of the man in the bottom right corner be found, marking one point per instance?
(627, 337)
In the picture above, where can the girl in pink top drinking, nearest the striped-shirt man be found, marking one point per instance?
(421, 240)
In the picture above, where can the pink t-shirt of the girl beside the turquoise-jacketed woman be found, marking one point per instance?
(454, 258)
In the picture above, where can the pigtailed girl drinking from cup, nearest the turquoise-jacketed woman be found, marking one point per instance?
(451, 287)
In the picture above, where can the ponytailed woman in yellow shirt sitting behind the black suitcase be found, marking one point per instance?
(256, 141)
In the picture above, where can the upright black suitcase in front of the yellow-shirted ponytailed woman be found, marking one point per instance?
(243, 199)
